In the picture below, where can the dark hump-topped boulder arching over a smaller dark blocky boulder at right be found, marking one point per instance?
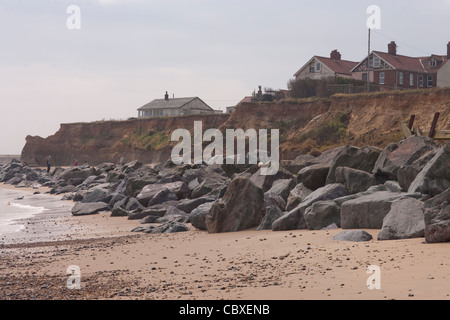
(351, 157)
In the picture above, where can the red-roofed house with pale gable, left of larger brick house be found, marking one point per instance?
(322, 67)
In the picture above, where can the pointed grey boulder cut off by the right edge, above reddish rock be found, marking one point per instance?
(435, 176)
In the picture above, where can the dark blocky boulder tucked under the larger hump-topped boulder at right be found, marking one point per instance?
(354, 180)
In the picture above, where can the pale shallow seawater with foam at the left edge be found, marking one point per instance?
(12, 210)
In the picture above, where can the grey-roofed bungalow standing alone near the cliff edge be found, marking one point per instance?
(174, 107)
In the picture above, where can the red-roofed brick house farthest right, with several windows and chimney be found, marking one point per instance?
(392, 71)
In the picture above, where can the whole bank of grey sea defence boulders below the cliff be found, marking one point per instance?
(348, 187)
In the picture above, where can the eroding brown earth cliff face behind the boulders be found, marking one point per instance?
(305, 126)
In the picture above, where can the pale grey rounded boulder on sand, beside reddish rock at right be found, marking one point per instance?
(404, 221)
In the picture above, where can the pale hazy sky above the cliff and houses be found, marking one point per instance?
(111, 57)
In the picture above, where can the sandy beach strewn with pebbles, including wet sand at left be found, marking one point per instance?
(250, 265)
